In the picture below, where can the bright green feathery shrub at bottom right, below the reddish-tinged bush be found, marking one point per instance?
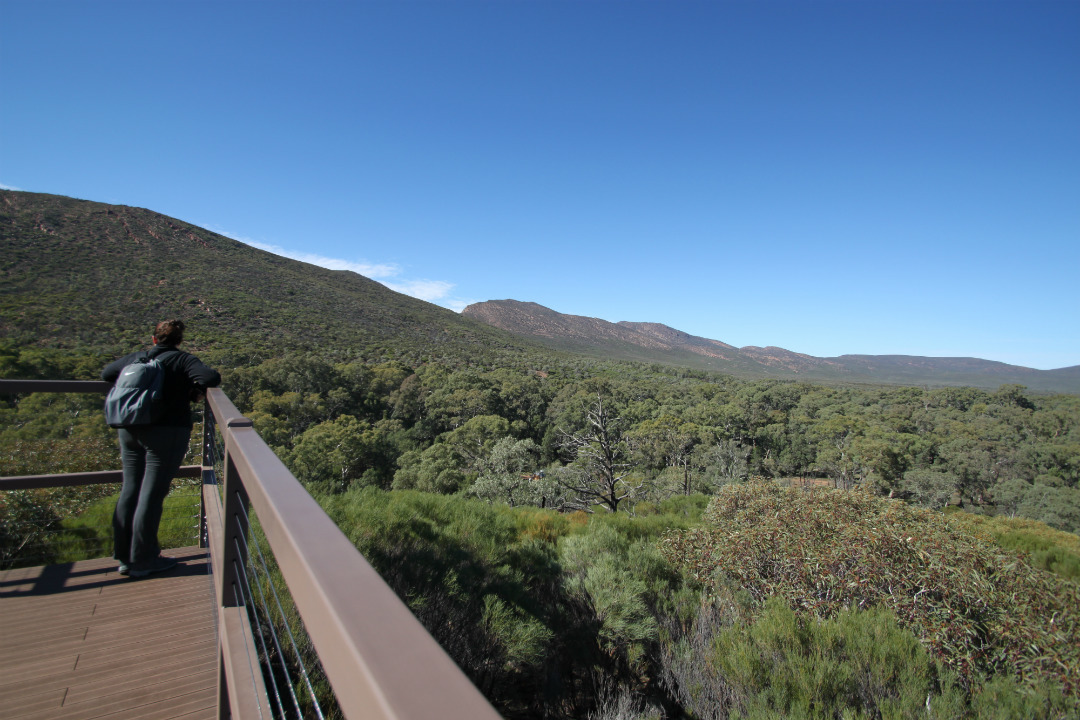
(858, 664)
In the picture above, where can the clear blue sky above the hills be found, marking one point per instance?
(831, 178)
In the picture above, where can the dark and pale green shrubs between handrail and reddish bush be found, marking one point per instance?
(549, 614)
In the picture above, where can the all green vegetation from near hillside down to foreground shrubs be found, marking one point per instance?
(546, 514)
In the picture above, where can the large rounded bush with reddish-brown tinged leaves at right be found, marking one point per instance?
(980, 609)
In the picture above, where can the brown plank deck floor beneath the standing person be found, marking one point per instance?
(82, 642)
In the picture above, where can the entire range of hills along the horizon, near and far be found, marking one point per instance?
(93, 278)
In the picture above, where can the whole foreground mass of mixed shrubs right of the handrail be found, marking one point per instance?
(573, 616)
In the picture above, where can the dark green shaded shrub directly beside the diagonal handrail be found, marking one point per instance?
(488, 592)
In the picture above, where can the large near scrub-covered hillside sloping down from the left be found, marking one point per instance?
(78, 275)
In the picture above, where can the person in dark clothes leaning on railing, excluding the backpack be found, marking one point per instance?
(152, 455)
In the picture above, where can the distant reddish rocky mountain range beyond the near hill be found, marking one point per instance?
(659, 344)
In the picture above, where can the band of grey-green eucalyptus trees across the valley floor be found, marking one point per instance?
(435, 426)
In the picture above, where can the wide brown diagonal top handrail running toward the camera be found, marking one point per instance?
(379, 658)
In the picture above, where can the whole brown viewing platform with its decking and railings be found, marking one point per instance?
(276, 615)
